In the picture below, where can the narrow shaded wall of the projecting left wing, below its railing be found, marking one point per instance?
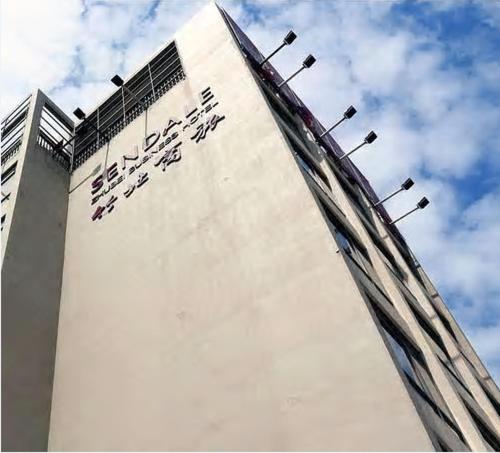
(31, 289)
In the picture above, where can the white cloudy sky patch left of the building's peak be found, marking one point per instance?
(68, 47)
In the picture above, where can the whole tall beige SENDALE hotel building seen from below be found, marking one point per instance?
(200, 271)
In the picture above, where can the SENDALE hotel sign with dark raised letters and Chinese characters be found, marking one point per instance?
(160, 149)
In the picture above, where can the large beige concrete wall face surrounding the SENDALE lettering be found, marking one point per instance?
(209, 311)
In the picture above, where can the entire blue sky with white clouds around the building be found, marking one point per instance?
(425, 75)
